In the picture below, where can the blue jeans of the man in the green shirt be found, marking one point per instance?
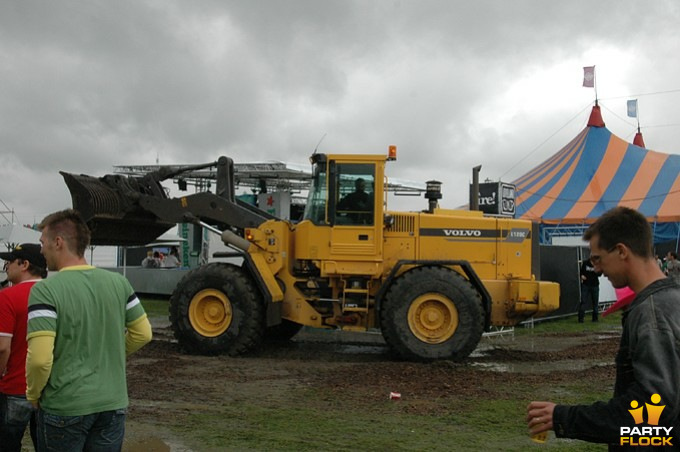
(101, 432)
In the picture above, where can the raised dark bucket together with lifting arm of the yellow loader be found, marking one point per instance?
(135, 210)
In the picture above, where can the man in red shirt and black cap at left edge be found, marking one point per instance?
(24, 265)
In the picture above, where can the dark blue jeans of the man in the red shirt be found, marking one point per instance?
(15, 414)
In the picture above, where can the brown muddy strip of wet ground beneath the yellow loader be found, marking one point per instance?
(165, 385)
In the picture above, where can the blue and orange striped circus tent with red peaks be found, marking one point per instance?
(593, 173)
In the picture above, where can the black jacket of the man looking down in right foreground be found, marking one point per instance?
(647, 363)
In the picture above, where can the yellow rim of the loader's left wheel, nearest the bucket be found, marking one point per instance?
(210, 312)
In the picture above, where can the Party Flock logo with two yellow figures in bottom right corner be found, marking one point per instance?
(650, 435)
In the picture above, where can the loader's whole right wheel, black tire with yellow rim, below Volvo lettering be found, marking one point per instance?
(432, 313)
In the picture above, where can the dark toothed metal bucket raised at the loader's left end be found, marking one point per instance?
(109, 205)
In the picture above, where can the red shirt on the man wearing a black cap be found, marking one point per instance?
(13, 322)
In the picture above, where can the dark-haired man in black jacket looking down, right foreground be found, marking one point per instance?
(645, 408)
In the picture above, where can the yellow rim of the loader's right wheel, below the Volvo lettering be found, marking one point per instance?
(433, 318)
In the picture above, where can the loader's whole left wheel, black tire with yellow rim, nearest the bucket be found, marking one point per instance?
(217, 309)
